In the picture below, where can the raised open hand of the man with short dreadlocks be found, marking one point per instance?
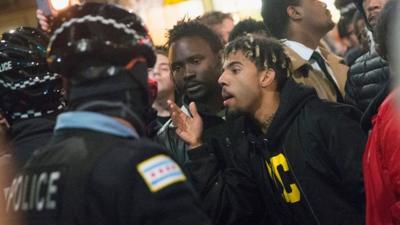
(189, 129)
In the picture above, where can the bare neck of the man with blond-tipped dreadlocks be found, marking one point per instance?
(266, 112)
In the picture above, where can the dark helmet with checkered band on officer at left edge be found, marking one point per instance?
(27, 88)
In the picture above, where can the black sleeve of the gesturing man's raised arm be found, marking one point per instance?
(228, 191)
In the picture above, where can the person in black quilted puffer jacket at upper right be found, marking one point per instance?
(370, 73)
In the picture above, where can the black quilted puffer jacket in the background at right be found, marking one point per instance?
(366, 78)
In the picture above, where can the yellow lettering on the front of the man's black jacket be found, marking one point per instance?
(293, 194)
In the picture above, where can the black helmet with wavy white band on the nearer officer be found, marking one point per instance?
(100, 31)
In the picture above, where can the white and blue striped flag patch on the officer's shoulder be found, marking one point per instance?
(159, 172)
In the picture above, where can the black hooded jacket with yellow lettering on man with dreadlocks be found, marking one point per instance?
(306, 170)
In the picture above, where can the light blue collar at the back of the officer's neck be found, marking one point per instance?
(96, 122)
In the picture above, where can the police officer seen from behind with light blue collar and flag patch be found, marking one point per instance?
(98, 167)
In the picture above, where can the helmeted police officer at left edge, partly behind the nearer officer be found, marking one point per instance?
(30, 95)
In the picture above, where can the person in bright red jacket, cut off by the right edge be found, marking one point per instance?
(382, 154)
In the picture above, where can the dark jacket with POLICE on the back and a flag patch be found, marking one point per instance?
(89, 177)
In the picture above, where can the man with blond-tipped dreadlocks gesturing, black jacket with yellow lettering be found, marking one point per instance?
(296, 159)
